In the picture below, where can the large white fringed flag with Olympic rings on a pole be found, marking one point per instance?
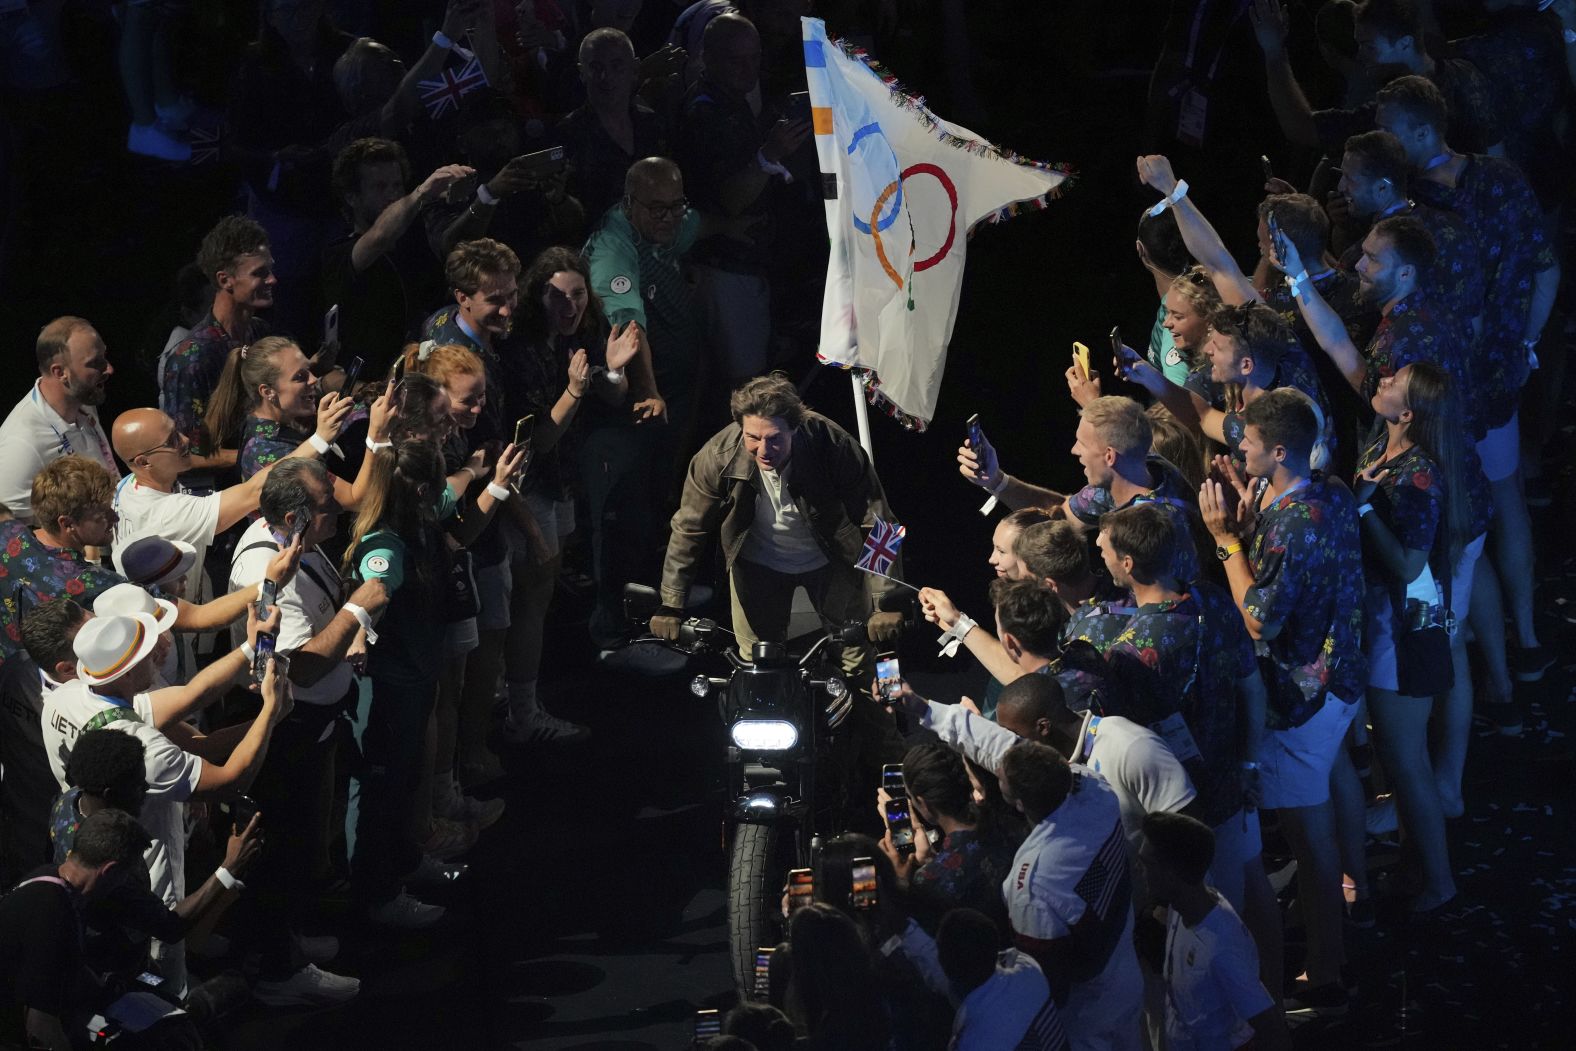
(904, 188)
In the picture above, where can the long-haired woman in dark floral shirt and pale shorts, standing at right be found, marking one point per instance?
(1418, 521)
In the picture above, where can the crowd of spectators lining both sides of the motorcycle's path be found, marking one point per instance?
(453, 333)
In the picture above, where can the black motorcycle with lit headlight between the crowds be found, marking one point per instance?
(782, 713)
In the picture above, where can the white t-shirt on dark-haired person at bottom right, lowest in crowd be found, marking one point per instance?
(1213, 982)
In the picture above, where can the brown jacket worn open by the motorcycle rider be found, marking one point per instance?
(834, 485)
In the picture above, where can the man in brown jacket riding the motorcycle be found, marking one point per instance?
(790, 497)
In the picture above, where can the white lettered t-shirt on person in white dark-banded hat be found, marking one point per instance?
(173, 774)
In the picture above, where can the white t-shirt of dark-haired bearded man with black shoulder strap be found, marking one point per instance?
(305, 607)
